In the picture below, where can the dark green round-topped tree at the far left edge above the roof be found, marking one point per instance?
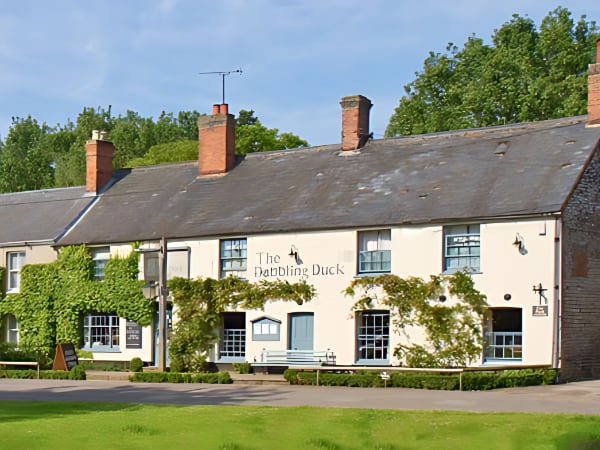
(25, 163)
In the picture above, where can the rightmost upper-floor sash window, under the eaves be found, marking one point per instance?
(461, 248)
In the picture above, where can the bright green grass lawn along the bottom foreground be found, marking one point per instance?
(57, 425)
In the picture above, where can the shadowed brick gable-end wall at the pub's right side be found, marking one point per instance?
(580, 324)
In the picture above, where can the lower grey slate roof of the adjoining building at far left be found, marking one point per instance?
(39, 216)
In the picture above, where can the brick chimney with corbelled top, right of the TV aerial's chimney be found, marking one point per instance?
(355, 121)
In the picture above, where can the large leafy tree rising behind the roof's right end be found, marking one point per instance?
(525, 75)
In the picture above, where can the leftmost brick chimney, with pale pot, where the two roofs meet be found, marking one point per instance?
(98, 161)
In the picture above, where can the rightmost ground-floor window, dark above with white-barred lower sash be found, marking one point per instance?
(504, 335)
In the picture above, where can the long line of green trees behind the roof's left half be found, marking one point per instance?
(38, 156)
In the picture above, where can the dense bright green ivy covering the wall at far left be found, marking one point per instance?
(53, 297)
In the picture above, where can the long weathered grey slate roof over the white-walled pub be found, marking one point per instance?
(476, 174)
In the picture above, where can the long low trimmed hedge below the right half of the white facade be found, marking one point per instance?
(471, 380)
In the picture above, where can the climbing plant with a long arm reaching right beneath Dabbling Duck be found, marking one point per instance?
(200, 303)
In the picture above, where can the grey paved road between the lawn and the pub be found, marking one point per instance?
(582, 397)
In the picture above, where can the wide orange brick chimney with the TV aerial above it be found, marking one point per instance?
(216, 136)
